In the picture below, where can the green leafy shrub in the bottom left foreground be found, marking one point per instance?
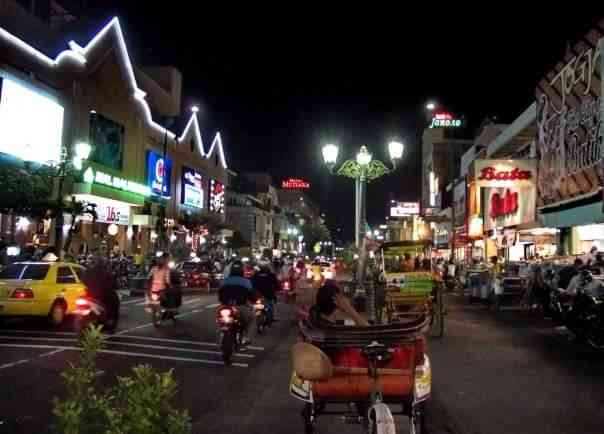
(137, 404)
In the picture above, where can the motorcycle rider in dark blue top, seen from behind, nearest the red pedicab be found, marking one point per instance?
(237, 290)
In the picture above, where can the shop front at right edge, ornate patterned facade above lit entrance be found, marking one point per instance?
(570, 150)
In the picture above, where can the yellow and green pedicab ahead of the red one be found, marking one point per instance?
(407, 292)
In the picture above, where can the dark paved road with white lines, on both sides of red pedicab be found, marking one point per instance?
(505, 374)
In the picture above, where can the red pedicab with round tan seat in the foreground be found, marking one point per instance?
(365, 374)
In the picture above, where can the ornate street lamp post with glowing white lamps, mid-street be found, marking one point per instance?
(363, 169)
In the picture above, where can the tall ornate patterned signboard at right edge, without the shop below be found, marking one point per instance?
(569, 141)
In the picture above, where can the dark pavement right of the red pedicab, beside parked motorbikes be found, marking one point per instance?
(510, 372)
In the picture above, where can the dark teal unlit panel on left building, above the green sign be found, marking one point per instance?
(107, 140)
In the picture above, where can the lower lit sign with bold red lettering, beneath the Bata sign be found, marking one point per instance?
(508, 206)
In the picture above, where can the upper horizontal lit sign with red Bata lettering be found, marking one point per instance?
(504, 173)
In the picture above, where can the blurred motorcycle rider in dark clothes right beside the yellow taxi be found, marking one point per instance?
(101, 285)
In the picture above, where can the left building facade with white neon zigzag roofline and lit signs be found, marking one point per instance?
(138, 172)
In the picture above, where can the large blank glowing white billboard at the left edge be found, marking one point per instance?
(31, 123)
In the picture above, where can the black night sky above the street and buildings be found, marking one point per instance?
(278, 84)
